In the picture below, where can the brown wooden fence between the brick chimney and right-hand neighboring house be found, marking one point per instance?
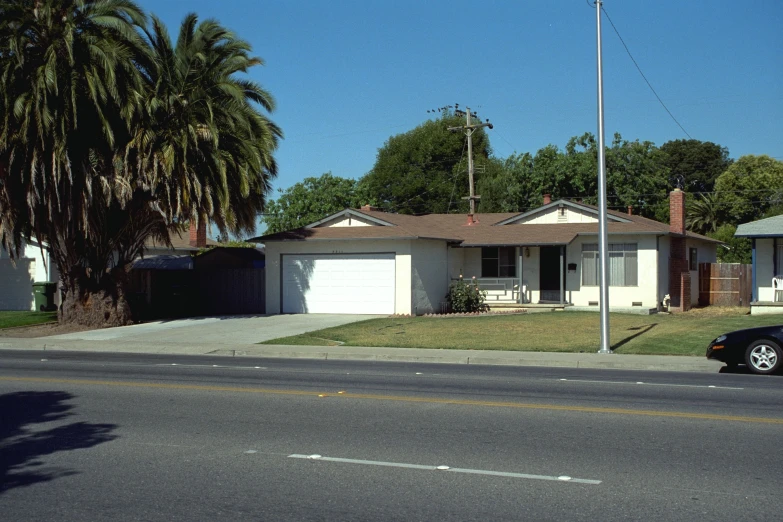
(725, 284)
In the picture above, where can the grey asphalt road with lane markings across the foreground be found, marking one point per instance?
(138, 437)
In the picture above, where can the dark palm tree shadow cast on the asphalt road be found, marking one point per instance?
(25, 438)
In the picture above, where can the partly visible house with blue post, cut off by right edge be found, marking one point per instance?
(767, 236)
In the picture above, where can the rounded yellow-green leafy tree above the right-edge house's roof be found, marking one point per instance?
(750, 187)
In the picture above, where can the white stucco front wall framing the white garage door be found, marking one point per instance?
(403, 300)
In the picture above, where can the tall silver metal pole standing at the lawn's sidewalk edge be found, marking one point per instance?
(603, 247)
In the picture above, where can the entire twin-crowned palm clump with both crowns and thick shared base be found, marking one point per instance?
(121, 136)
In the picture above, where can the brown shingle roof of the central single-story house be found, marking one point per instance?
(452, 227)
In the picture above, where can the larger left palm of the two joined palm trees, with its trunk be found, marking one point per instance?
(69, 83)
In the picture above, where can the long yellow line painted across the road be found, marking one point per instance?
(400, 398)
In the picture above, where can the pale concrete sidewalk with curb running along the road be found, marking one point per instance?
(356, 353)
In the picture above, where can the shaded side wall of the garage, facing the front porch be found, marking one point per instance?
(429, 276)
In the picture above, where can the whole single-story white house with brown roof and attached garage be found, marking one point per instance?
(370, 262)
